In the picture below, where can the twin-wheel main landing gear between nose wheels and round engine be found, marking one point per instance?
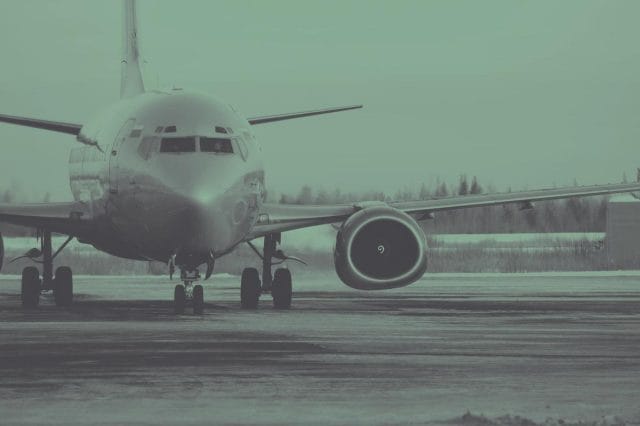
(278, 284)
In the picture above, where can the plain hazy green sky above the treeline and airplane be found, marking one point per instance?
(522, 94)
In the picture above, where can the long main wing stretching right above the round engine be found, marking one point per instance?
(280, 217)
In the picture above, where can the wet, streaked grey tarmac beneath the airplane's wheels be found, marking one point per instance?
(564, 347)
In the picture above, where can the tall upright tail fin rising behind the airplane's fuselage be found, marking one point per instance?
(131, 83)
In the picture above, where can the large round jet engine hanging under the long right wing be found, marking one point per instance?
(379, 248)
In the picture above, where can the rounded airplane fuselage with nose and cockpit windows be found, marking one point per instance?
(167, 174)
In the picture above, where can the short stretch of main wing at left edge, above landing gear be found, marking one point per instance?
(70, 218)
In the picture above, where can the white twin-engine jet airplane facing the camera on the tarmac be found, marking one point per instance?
(177, 176)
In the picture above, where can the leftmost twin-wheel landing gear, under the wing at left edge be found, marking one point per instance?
(33, 285)
